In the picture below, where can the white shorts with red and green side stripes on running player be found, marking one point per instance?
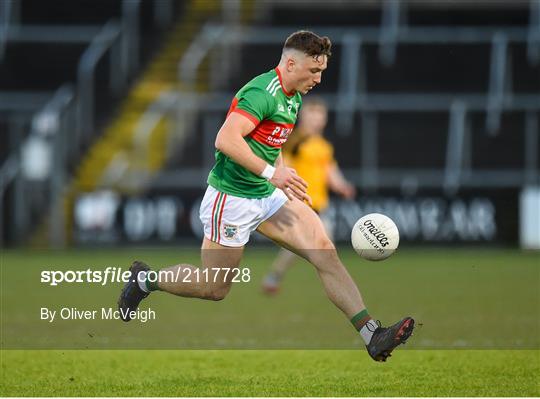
(229, 220)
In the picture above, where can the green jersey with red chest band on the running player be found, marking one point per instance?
(273, 111)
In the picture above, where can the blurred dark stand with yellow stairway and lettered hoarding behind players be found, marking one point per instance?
(109, 110)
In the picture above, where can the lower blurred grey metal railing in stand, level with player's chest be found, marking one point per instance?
(455, 174)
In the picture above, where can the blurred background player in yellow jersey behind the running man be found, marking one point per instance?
(312, 156)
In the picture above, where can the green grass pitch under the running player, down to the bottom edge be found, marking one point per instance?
(479, 311)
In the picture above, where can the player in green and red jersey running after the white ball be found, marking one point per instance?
(250, 189)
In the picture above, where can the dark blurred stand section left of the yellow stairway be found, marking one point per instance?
(64, 68)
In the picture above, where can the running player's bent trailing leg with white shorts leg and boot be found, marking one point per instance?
(228, 222)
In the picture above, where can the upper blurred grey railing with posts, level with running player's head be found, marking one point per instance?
(351, 62)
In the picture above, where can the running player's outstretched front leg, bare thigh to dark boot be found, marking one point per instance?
(297, 227)
